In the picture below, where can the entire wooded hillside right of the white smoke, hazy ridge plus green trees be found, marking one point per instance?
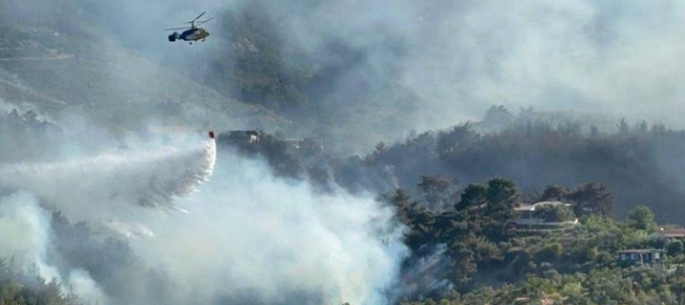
(620, 185)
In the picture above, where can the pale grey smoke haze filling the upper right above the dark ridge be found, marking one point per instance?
(461, 57)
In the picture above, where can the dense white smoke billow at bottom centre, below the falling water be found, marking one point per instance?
(250, 232)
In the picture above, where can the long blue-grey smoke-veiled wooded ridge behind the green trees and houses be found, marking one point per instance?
(637, 162)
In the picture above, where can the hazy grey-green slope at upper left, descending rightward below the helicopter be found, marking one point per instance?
(68, 64)
